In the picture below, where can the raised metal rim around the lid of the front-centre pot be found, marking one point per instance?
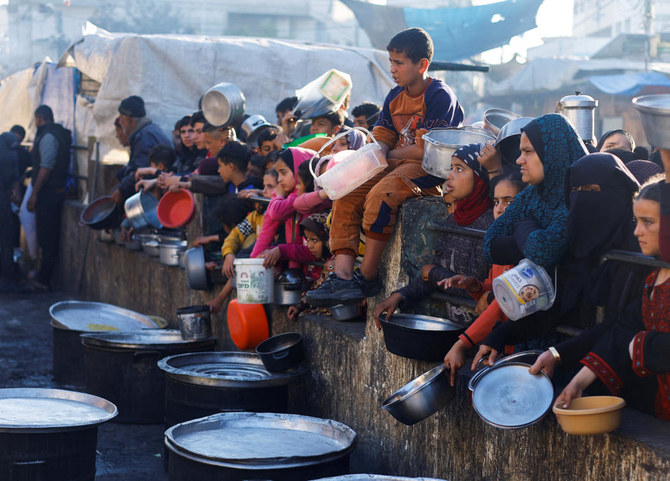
(280, 419)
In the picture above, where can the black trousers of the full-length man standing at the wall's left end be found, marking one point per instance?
(48, 213)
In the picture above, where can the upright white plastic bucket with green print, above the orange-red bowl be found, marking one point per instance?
(255, 283)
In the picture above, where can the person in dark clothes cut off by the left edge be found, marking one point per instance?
(9, 177)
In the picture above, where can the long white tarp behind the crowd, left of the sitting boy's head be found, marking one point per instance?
(172, 72)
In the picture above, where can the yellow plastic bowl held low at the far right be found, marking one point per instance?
(590, 415)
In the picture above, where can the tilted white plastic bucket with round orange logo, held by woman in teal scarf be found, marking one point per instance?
(523, 290)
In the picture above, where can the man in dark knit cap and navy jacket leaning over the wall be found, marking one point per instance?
(143, 135)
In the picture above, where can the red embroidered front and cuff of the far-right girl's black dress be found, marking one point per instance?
(656, 317)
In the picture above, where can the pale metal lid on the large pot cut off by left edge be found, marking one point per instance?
(36, 409)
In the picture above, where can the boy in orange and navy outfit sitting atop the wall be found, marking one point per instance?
(418, 102)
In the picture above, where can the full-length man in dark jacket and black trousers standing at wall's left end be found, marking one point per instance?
(51, 161)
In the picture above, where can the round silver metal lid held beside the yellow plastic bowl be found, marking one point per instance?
(507, 396)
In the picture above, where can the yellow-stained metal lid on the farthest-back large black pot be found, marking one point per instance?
(97, 316)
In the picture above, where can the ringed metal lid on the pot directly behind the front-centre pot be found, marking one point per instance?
(226, 369)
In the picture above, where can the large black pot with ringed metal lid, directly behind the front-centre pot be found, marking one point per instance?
(200, 384)
